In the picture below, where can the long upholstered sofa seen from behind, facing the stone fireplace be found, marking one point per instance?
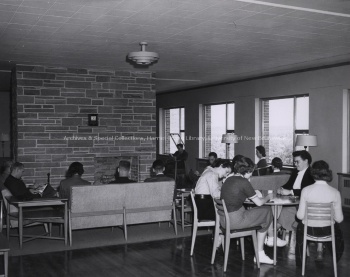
(113, 205)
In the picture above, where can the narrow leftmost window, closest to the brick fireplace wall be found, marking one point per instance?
(174, 129)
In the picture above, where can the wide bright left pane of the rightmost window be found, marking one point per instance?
(278, 129)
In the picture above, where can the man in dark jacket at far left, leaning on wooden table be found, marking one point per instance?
(18, 188)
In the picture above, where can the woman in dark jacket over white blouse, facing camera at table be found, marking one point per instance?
(299, 179)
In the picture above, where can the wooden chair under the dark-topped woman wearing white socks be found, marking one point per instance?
(228, 234)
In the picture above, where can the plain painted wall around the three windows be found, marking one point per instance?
(324, 86)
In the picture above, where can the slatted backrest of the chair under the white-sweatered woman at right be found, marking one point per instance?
(319, 212)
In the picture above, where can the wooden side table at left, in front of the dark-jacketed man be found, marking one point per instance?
(38, 216)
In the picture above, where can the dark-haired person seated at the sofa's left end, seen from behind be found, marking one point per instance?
(73, 177)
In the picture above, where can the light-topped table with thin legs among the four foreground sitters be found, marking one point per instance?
(278, 201)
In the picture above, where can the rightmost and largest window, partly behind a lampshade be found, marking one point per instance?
(282, 120)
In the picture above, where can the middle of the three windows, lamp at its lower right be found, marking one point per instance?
(218, 120)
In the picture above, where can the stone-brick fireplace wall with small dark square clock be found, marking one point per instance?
(53, 104)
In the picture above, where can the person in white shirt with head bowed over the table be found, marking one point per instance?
(209, 183)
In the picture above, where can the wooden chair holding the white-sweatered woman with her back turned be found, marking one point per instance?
(321, 212)
